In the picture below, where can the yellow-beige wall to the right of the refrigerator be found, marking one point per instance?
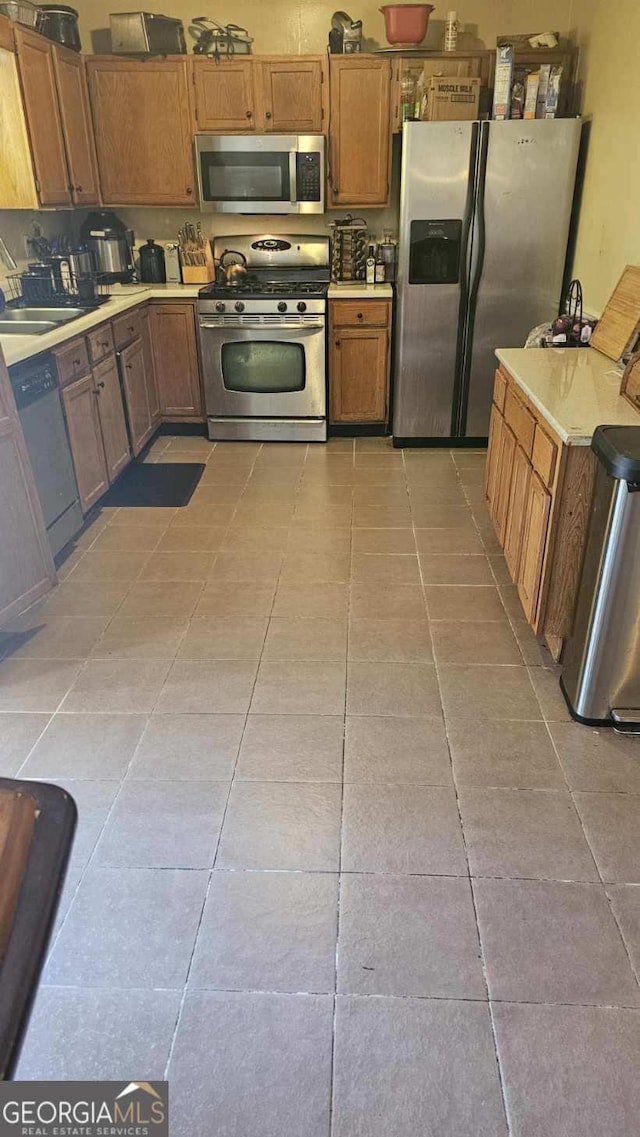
(609, 236)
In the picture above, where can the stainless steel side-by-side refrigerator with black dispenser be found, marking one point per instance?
(485, 219)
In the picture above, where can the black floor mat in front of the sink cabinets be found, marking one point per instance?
(163, 484)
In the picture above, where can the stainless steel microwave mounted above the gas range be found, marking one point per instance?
(261, 175)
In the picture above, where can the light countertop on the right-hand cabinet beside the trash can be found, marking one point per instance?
(575, 389)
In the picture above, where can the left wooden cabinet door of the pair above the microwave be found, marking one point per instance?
(225, 95)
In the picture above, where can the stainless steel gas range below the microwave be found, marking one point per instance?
(263, 341)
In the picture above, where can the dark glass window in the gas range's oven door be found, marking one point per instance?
(264, 368)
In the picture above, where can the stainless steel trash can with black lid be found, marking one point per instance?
(602, 661)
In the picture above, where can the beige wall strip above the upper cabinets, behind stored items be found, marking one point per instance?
(292, 27)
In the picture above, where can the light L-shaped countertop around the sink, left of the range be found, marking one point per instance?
(123, 297)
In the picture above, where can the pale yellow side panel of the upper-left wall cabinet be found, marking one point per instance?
(18, 182)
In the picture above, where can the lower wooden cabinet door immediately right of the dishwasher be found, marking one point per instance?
(86, 438)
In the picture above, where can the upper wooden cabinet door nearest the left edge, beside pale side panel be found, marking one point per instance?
(36, 64)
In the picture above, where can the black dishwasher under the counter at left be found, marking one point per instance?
(38, 400)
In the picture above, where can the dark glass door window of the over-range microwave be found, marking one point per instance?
(246, 177)
